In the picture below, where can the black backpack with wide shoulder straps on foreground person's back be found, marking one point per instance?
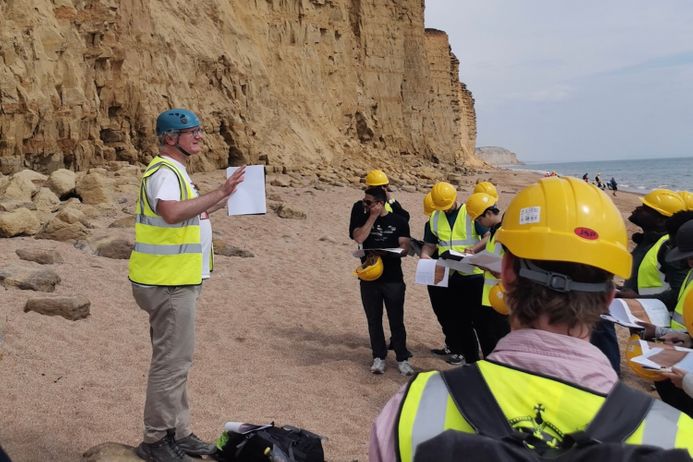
(495, 440)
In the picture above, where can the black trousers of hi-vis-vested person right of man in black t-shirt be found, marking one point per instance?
(457, 307)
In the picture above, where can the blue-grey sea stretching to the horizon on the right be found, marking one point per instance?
(633, 175)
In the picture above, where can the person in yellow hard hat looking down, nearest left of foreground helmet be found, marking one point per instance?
(490, 325)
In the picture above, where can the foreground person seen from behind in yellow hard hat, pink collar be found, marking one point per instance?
(544, 388)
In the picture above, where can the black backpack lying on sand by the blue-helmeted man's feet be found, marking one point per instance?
(266, 443)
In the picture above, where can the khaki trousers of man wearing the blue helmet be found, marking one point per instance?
(172, 329)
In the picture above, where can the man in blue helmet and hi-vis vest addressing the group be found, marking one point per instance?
(171, 257)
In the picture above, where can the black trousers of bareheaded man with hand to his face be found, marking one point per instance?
(373, 295)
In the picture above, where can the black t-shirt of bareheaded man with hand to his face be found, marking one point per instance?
(385, 234)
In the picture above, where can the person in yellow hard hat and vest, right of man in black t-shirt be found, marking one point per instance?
(451, 230)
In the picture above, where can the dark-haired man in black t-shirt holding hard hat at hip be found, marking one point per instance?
(382, 282)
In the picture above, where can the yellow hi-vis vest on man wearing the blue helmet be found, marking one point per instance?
(165, 254)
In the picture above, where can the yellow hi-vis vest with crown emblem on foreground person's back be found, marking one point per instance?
(529, 401)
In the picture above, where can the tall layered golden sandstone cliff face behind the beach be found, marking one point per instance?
(287, 83)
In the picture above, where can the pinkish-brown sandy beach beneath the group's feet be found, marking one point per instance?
(280, 337)
